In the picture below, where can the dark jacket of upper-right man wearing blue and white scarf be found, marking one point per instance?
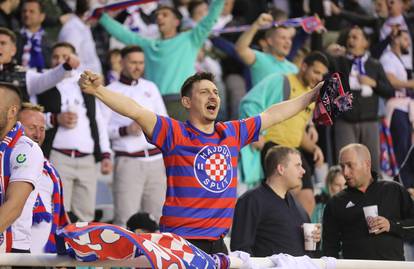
(363, 108)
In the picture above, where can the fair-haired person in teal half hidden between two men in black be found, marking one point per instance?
(334, 183)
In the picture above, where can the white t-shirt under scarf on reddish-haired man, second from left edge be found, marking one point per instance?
(41, 231)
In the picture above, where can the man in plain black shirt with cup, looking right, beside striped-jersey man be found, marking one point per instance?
(267, 219)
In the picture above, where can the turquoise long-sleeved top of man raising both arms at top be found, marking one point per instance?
(168, 62)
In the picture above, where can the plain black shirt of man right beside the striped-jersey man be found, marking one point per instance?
(265, 224)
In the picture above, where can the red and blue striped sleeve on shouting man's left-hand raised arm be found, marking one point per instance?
(163, 135)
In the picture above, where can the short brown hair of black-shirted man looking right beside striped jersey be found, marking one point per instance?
(277, 155)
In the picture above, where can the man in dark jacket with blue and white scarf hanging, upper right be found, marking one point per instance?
(367, 80)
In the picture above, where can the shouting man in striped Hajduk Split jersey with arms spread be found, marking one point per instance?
(200, 155)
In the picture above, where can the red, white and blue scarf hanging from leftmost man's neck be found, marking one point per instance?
(6, 147)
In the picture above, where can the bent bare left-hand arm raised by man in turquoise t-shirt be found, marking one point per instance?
(243, 43)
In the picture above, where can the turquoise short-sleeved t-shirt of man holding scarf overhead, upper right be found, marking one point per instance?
(266, 64)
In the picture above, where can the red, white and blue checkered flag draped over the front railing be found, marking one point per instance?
(98, 241)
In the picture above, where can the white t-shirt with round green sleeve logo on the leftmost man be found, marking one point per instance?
(26, 164)
